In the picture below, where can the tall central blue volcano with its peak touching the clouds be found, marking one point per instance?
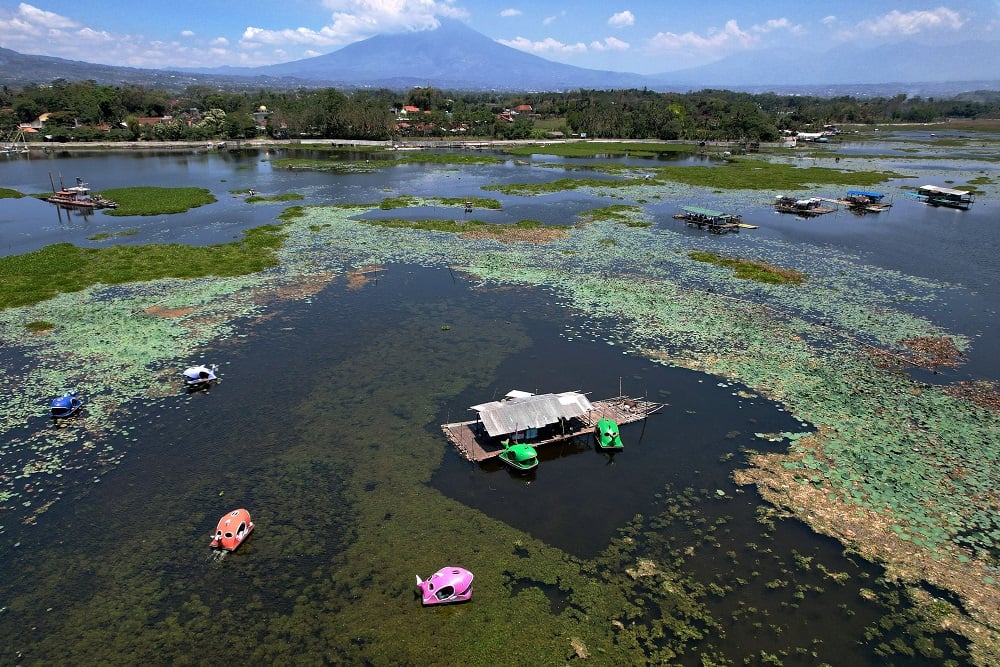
(453, 56)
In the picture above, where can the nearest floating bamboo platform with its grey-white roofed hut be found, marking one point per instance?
(481, 439)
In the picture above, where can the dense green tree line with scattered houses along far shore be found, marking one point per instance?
(86, 111)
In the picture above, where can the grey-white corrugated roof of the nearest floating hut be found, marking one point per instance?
(530, 411)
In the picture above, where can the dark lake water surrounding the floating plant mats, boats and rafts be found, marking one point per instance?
(325, 426)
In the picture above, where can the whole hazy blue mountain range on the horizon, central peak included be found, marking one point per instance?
(456, 57)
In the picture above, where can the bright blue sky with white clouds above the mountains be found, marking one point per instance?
(642, 36)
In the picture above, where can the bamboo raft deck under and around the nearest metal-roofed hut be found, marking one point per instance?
(472, 442)
